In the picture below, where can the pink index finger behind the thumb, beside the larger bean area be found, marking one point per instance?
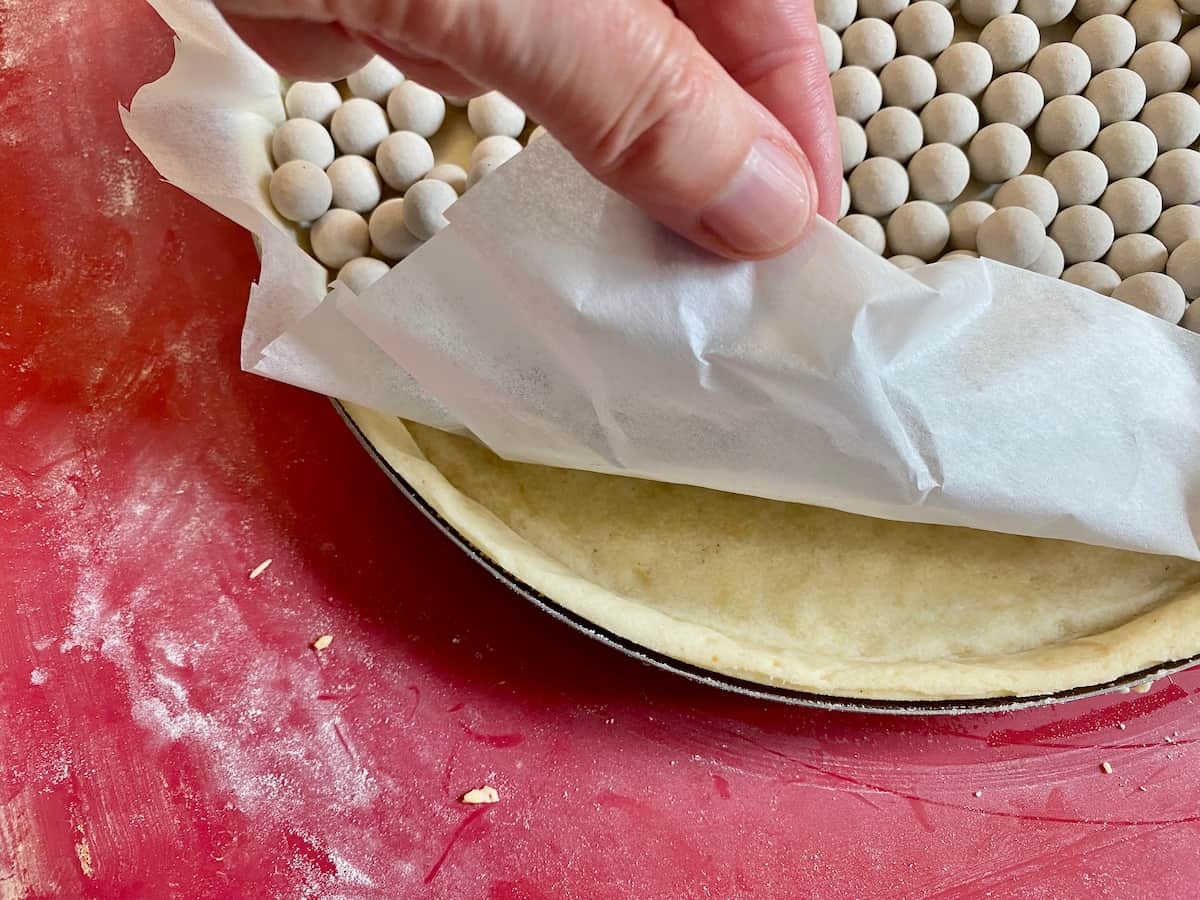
(773, 50)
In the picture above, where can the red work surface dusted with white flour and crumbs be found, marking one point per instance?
(170, 733)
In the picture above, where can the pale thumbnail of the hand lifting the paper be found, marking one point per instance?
(767, 207)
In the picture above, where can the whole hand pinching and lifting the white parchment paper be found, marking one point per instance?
(716, 116)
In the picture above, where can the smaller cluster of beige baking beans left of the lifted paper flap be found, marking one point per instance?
(356, 170)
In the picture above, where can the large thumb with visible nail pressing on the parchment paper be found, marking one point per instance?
(632, 94)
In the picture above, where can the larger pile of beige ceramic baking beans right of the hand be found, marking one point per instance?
(1058, 136)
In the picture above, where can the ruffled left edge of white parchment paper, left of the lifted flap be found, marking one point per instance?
(207, 128)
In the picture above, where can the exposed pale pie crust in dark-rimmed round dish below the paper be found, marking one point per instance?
(800, 603)
